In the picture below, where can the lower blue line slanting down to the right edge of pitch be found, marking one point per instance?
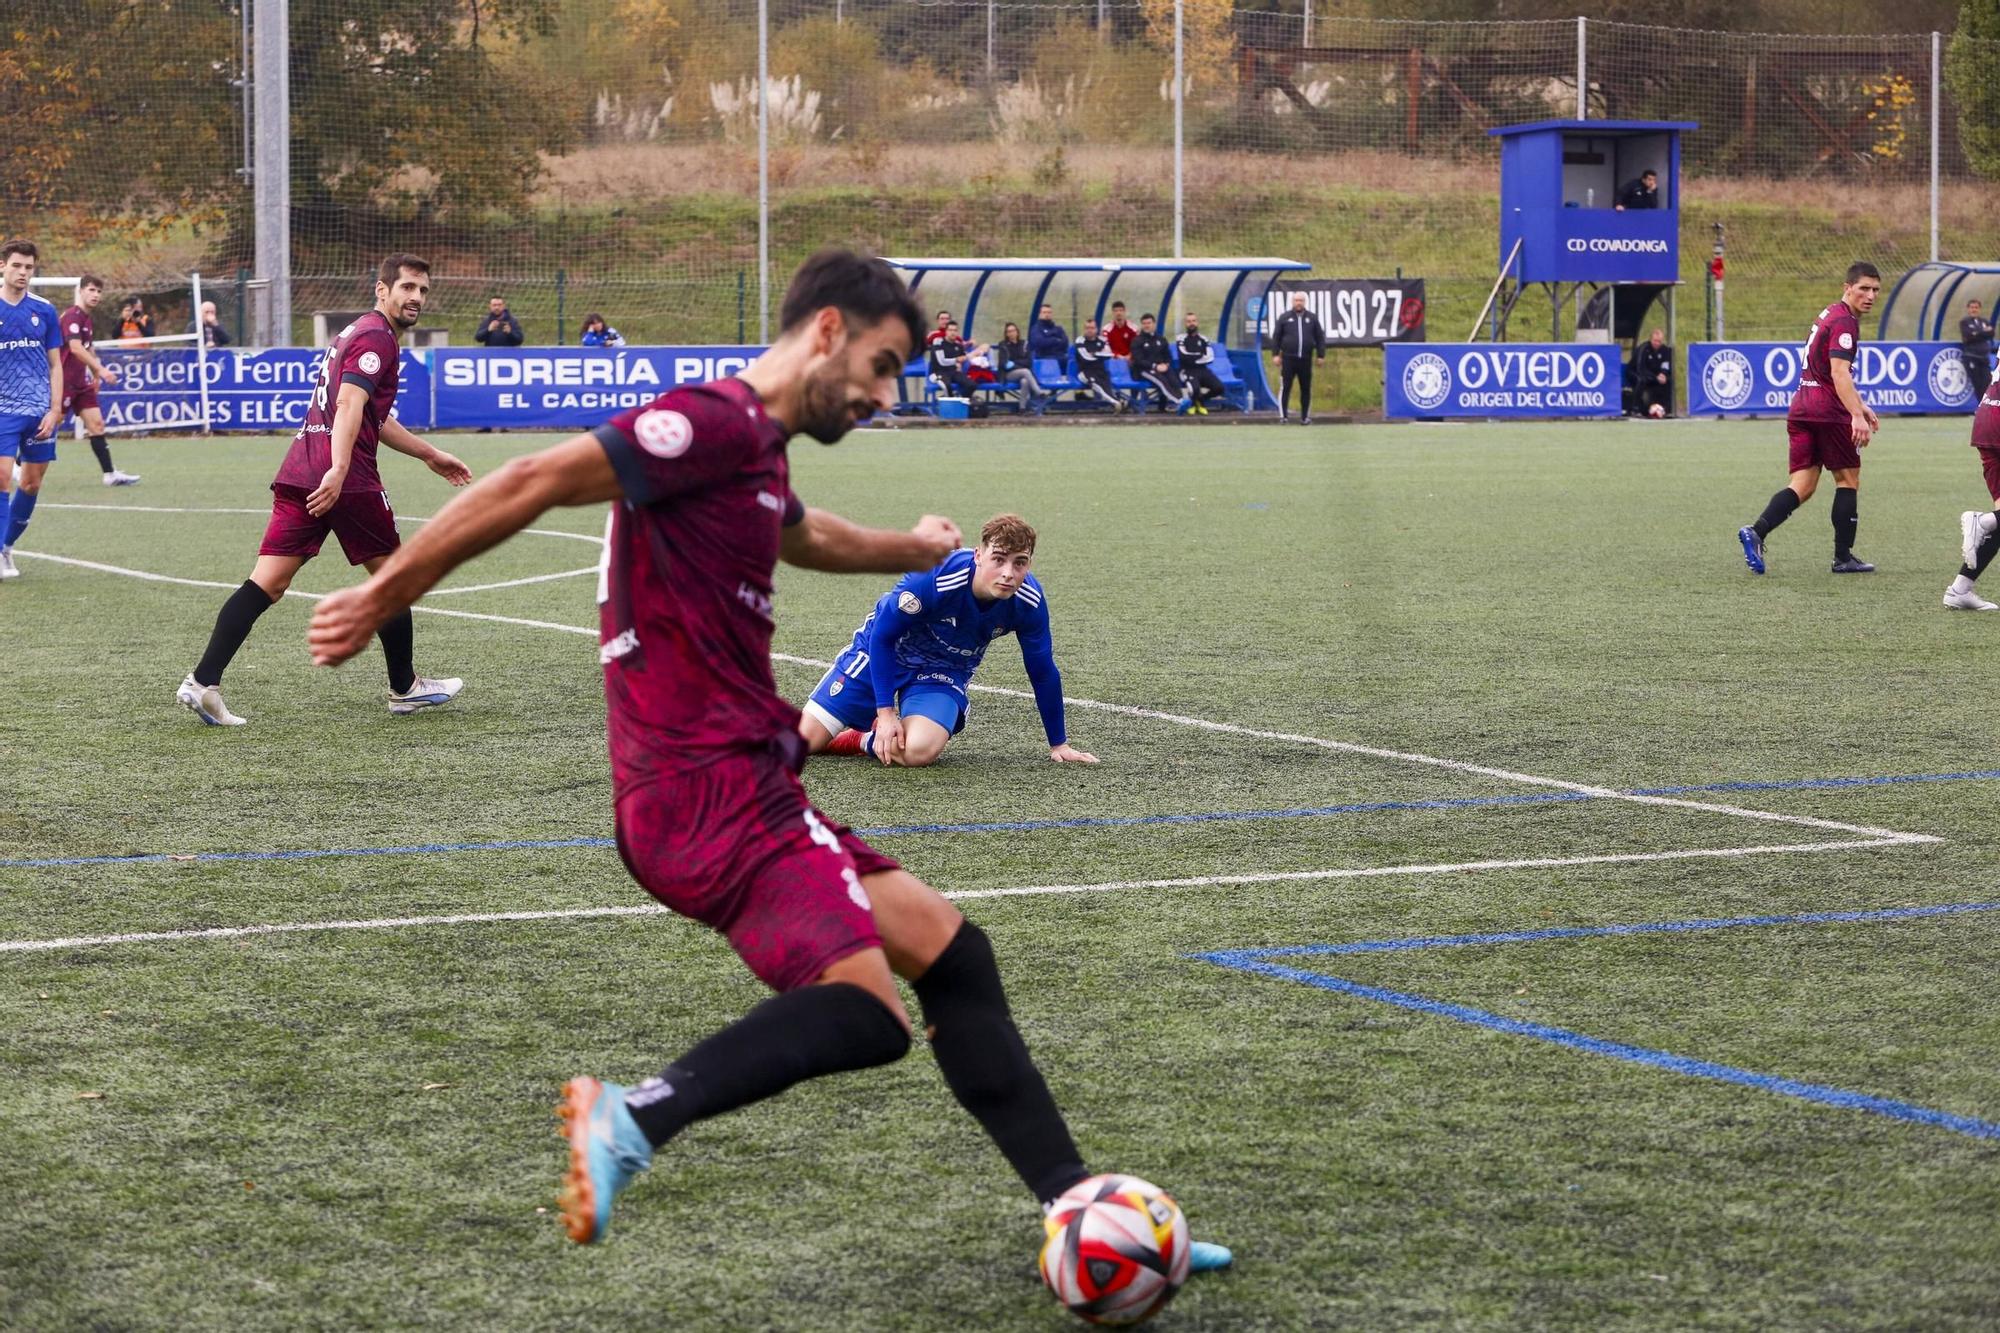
(1621, 1052)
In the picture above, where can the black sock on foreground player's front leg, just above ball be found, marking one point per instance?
(989, 1070)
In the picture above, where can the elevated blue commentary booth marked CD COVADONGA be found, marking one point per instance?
(1561, 219)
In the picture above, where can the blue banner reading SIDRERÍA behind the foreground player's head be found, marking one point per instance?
(567, 387)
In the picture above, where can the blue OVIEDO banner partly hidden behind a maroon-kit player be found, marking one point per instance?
(1757, 379)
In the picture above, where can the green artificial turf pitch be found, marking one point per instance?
(353, 1128)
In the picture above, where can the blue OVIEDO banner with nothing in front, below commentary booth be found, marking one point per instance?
(1501, 379)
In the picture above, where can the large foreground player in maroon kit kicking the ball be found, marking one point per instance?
(705, 754)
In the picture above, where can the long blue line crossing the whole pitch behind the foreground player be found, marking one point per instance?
(1043, 826)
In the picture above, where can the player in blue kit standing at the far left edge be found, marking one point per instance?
(31, 393)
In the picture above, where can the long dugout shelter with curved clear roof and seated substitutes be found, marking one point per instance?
(985, 295)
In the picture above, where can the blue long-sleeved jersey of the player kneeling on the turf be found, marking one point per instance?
(931, 629)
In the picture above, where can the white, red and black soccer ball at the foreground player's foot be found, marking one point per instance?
(1117, 1250)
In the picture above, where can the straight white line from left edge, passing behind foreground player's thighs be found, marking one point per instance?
(1201, 882)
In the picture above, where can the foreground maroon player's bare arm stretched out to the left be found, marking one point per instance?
(507, 501)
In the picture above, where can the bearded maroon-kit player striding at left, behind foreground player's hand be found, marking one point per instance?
(329, 483)
